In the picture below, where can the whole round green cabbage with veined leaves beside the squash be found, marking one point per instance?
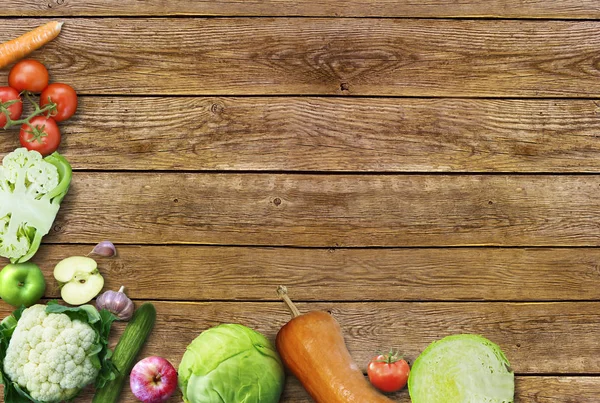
(231, 363)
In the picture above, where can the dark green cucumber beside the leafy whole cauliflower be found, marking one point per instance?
(129, 345)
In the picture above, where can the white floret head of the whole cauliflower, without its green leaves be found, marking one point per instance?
(50, 355)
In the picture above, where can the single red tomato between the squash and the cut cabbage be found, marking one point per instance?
(388, 373)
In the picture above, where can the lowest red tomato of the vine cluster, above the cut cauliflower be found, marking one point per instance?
(43, 136)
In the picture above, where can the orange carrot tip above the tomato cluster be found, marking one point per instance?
(18, 48)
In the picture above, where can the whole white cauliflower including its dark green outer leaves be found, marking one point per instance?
(52, 352)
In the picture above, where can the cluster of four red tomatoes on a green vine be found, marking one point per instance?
(58, 102)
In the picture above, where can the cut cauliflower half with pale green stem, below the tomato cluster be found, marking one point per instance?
(31, 189)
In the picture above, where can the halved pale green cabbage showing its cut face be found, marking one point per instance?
(462, 368)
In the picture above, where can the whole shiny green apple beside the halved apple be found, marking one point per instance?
(22, 284)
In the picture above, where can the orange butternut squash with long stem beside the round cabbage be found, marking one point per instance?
(312, 347)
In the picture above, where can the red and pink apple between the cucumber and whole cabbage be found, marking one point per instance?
(153, 380)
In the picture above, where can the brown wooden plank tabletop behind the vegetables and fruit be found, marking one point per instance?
(418, 169)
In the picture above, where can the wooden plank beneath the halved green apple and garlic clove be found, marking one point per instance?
(239, 273)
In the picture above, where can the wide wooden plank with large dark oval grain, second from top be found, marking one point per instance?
(306, 56)
